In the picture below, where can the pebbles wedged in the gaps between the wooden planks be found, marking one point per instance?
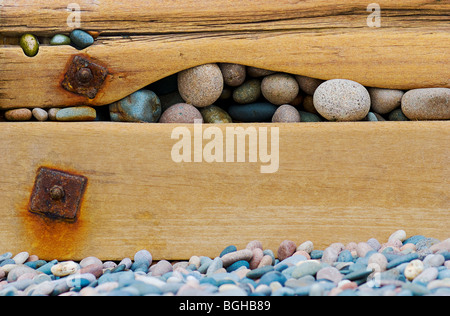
(227, 93)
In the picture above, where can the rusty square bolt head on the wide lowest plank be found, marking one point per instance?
(57, 194)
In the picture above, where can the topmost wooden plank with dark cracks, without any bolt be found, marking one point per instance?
(181, 16)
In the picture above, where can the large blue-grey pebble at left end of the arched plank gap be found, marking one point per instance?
(142, 106)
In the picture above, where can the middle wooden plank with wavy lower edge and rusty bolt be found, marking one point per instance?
(377, 58)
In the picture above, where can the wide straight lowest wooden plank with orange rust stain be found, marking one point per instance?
(337, 182)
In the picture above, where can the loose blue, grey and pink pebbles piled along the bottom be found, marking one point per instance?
(402, 266)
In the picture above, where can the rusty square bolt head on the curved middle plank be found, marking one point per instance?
(84, 77)
